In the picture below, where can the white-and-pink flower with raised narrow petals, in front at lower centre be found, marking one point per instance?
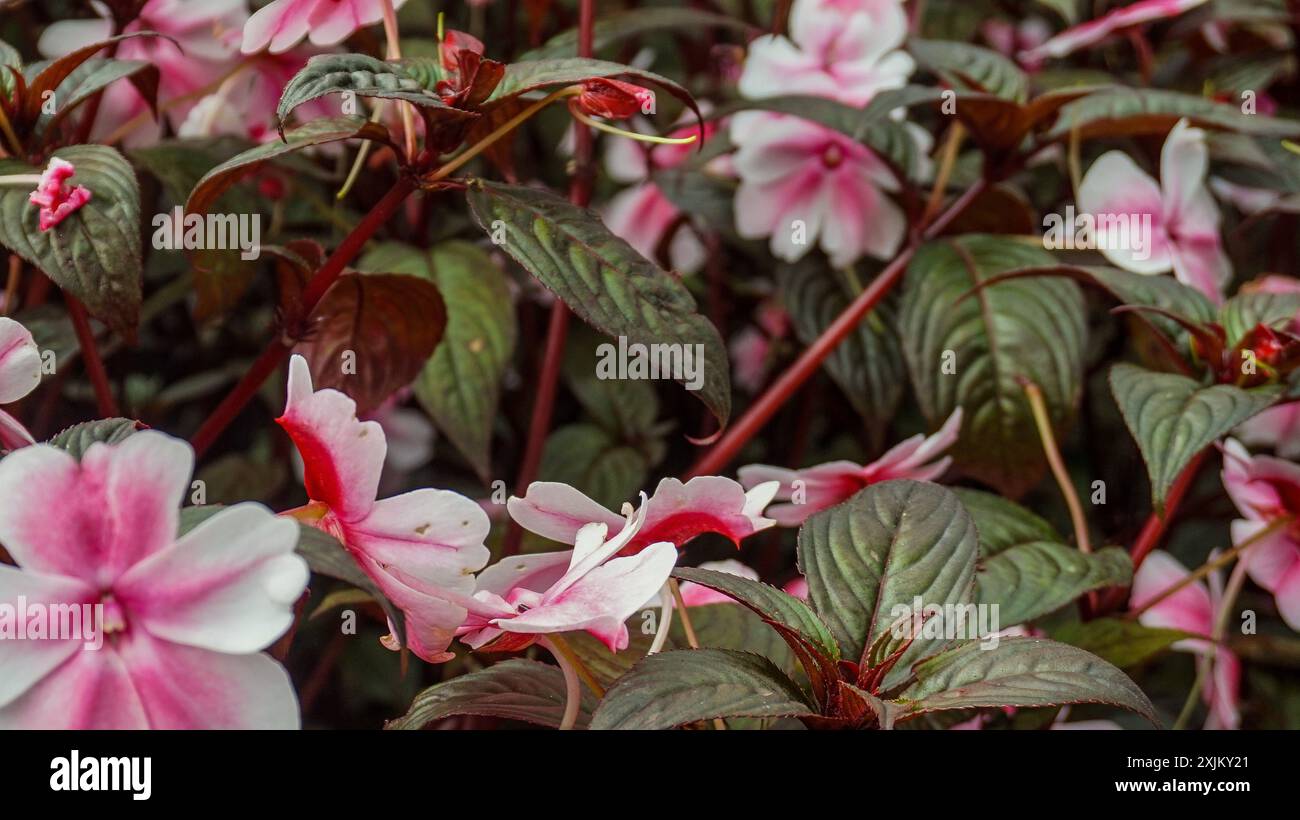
(522, 600)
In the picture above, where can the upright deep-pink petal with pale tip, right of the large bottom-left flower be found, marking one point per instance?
(343, 457)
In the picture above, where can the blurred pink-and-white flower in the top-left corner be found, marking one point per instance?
(206, 36)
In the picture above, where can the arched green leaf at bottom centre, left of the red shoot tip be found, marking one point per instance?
(678, 688)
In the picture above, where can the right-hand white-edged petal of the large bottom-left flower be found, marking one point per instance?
(229, 585)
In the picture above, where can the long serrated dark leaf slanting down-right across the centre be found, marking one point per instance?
(604, 280)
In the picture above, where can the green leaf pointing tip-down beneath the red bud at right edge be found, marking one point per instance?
(1173, 418)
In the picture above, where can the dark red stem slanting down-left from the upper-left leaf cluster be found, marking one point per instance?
(313, 294)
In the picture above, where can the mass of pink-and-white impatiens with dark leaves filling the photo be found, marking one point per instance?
(512, 379)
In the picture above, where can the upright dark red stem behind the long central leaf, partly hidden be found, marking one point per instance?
(557, 331)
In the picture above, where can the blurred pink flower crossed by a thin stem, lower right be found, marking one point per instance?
(1191, 610)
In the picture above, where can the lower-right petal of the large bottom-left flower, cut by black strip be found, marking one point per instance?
(189, 688)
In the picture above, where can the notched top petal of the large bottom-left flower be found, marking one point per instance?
(96, 519)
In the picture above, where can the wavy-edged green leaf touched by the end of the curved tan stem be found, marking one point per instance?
(1032, 580)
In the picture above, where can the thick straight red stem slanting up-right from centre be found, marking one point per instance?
(762, 411)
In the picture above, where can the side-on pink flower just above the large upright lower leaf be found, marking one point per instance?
(826, 485)
